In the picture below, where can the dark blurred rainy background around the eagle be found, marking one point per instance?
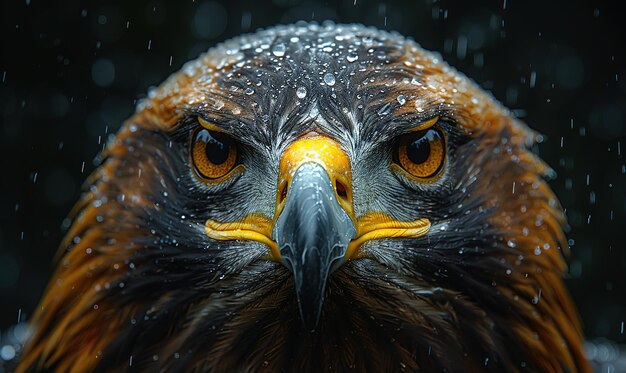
(71, 72)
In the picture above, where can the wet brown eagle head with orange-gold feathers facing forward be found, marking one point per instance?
(314, 198)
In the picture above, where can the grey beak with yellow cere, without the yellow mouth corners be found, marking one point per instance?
(314, 218)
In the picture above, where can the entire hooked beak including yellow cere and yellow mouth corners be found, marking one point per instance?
(314, 229)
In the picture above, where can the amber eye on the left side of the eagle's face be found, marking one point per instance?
(213, 154)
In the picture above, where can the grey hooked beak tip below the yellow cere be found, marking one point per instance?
(312, 232)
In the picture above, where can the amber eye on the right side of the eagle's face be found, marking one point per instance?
(422, 153)
